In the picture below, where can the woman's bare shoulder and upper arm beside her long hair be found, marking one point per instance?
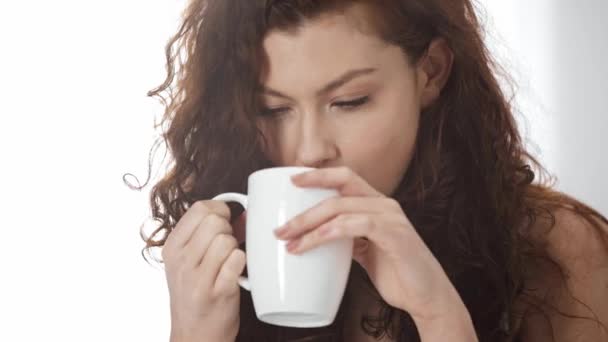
(578, 244)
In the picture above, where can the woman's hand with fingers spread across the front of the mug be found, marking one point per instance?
(402, 268)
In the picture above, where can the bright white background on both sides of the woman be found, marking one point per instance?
(75, 118)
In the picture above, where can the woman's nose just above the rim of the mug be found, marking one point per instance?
(316, 143)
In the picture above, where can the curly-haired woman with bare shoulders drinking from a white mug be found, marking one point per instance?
(398, 106)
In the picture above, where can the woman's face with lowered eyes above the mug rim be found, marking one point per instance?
(338, 97)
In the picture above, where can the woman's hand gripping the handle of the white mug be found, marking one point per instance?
(202, 265)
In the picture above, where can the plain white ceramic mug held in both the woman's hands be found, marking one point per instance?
(289, 290)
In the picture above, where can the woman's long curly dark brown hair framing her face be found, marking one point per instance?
(472, 191)
